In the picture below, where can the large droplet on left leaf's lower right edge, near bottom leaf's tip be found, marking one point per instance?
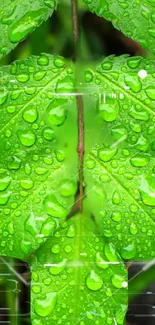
(53, 207)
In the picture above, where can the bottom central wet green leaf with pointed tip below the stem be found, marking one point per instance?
(78, 278)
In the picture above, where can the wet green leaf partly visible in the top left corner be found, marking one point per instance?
(20, 18)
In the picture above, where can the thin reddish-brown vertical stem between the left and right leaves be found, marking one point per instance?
(79, 105)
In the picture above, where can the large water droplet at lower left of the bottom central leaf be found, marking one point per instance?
(44, 306)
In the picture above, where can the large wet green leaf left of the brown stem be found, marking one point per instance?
(38, 161)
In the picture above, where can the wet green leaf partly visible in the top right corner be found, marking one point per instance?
(136, 19)
